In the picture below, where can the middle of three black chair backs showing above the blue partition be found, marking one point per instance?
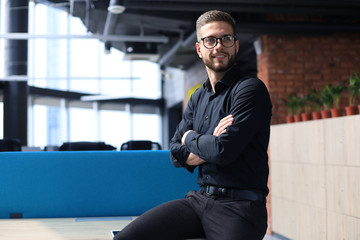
(85, 146)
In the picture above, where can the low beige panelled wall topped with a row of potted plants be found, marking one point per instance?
(315, 179)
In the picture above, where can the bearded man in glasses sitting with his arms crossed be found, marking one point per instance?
(224, 132)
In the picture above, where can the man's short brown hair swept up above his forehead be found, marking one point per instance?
(214, 16)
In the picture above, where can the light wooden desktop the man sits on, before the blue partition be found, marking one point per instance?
(65, 228)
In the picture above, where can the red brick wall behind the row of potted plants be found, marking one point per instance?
(290, 64)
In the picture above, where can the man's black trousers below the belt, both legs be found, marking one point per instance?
(200, 216)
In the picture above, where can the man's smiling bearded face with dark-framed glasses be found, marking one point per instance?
(219, 58)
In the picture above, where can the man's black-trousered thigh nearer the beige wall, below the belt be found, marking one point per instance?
(235, 220)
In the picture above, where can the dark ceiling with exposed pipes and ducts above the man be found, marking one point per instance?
(164, 30)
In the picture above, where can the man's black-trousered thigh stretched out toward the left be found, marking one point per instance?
(172, 220)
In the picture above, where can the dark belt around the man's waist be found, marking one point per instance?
(233, 193)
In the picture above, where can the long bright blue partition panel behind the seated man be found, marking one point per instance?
(88, 183)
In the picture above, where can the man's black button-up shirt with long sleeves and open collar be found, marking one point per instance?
(237, 158)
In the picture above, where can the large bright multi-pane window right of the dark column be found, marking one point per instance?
(81, 65)
